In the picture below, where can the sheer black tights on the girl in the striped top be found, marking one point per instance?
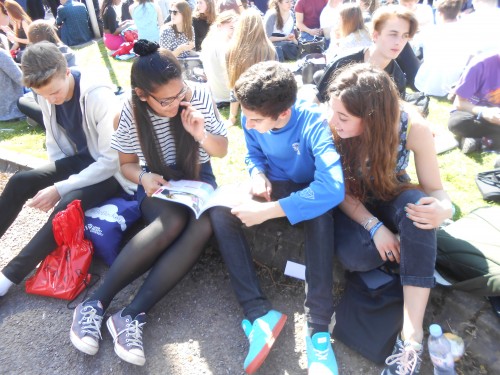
(170, 245)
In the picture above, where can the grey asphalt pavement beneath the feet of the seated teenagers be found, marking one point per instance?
(195, 329)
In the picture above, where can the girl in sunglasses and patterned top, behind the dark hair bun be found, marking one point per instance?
(178, 35)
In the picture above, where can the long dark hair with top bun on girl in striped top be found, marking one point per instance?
(156, 67)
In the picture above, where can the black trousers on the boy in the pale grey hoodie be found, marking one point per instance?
(24, 185)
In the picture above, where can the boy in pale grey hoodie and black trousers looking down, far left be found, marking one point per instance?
(78, 115)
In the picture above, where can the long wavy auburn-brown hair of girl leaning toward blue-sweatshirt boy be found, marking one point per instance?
(369, 160)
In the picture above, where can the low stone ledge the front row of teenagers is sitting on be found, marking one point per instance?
(275, 242)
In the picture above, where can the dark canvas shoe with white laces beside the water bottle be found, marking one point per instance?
(405, 359)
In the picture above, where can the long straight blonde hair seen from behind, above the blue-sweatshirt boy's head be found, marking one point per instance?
(249, 45)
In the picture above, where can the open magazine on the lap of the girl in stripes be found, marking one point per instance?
(200, 196)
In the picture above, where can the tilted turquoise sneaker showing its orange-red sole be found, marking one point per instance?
(261, 336)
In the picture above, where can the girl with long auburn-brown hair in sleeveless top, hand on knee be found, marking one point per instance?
(374, 138)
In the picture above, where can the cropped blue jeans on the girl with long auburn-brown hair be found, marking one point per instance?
(357, 252)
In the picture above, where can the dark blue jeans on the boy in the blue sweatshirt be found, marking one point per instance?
(319, 252)
